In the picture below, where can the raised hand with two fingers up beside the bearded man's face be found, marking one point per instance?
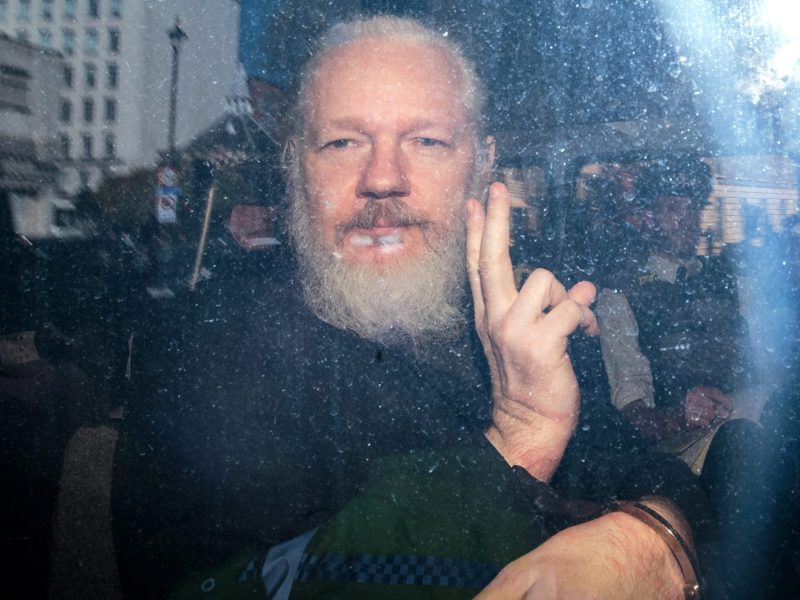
(524, 336)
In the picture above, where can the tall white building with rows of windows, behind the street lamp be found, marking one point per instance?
(114, 88)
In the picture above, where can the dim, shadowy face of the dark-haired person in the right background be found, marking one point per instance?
(676, 223)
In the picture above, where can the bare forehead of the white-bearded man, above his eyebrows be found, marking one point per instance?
(384, 82)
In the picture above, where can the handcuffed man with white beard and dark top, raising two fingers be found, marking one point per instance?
(286, 398)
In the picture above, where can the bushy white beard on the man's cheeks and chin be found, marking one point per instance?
(414, 303)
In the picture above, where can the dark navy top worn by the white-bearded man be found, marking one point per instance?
(266, 421)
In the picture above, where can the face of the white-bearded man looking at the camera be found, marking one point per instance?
(388, 153)
